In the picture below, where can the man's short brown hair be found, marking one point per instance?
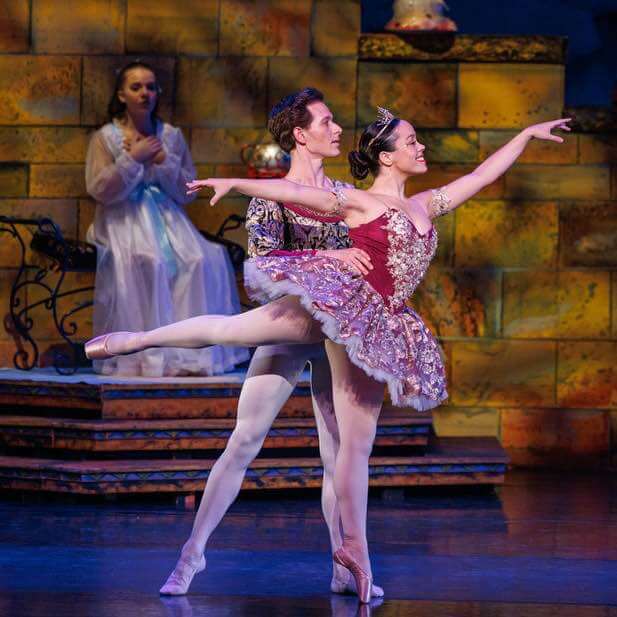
(291, 111)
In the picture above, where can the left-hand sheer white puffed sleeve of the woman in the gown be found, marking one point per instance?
(109, 180)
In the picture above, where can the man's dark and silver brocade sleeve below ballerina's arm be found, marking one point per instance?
(265, 226)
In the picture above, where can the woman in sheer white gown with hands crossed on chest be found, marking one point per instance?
(154, 267)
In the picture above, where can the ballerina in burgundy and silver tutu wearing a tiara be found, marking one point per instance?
(378, 339)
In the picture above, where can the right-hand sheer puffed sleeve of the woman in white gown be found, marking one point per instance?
(177, 169)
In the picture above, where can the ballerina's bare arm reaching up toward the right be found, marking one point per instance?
(462, 189)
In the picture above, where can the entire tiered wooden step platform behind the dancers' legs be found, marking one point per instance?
(93, 435)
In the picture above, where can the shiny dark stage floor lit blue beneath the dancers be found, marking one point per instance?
(532, 547)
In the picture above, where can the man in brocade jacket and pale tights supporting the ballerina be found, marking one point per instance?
(302, 125)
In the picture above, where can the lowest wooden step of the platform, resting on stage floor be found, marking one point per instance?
(451, 461)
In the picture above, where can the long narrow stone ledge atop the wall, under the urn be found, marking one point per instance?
(440, 46)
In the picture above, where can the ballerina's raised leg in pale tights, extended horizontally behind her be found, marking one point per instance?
(279, 322)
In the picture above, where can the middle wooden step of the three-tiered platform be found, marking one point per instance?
(397, 427)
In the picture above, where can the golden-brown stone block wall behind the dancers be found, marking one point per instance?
(523, 293)
